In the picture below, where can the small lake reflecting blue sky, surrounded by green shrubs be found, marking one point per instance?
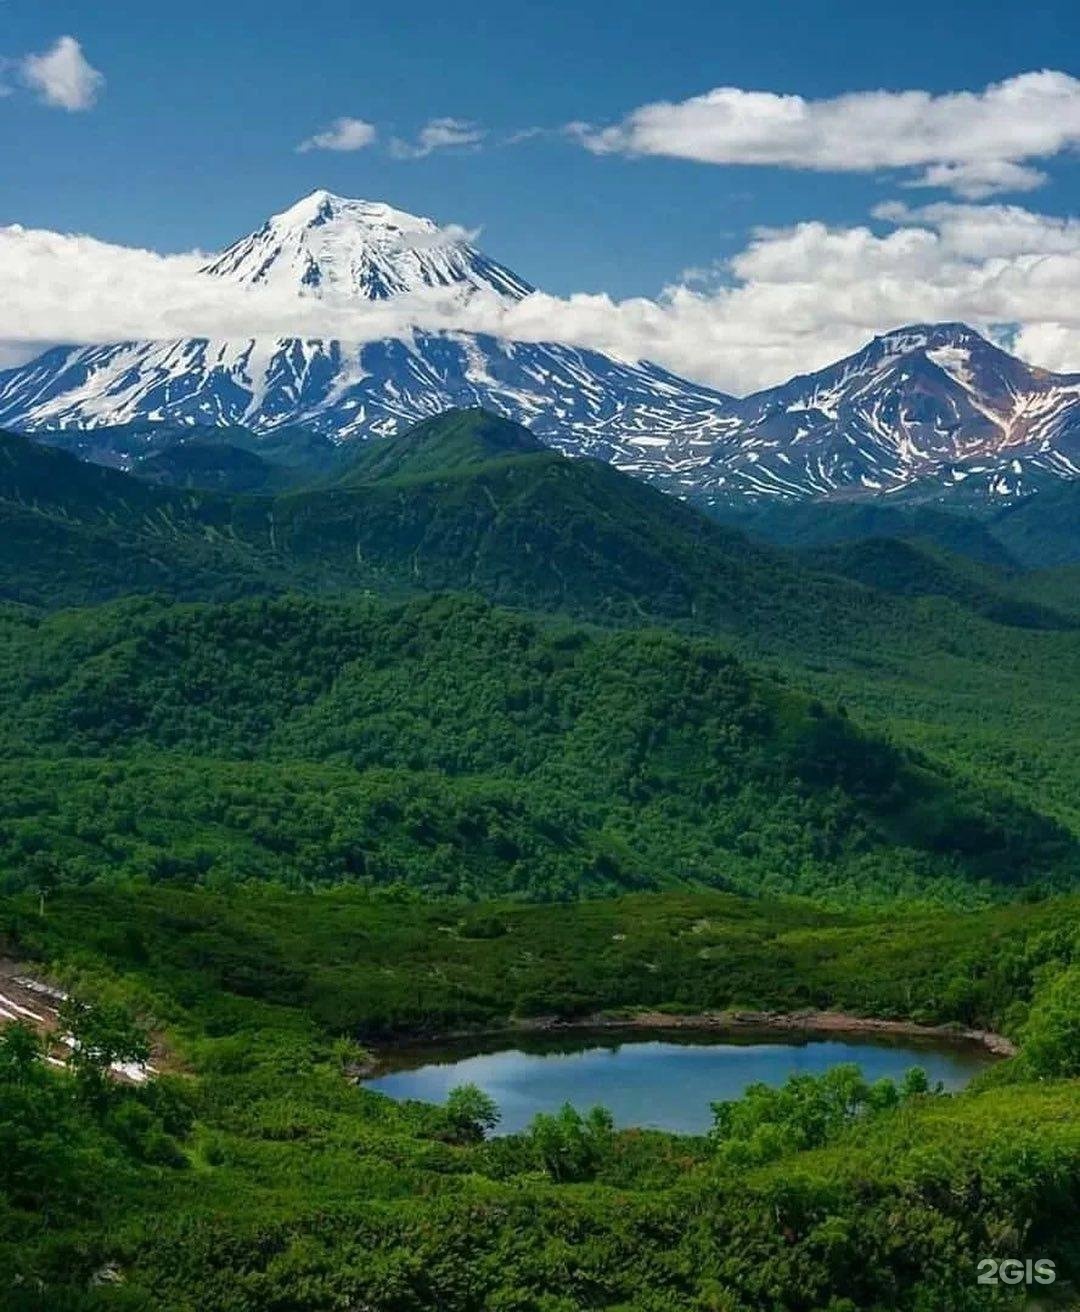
(662, 1082)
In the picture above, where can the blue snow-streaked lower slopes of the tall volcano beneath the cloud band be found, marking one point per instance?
(579, 401)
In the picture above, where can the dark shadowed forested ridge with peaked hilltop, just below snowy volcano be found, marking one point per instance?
(530, 529)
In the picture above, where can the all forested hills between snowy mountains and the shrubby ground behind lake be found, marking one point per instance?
(560, 760)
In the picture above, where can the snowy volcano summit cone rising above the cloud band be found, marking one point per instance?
(329, 246)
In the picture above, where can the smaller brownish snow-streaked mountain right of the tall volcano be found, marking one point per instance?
(932, 410)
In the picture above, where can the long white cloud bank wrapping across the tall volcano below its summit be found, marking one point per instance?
(793, 300)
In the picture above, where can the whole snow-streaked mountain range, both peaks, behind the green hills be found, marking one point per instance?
(930, 411)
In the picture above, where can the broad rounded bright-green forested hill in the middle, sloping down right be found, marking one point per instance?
(456, 747)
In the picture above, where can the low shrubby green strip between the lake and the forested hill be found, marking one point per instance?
(381, 964)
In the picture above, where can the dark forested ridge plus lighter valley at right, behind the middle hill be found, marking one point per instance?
(977, 672)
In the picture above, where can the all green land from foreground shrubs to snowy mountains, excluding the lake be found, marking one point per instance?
(302, 752)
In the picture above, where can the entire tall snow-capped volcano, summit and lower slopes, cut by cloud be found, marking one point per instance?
(339, 250)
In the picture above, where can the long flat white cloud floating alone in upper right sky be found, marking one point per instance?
(973, 142)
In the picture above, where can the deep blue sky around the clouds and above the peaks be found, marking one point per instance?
(194, 140)
